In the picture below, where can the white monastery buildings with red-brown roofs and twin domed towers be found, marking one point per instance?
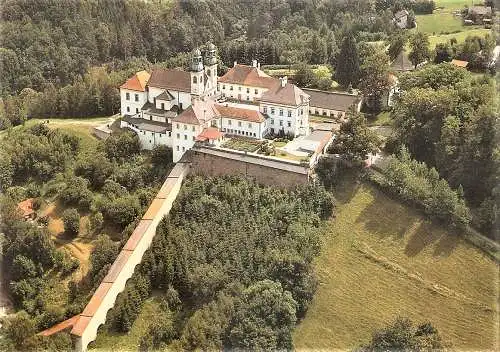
(180, 108)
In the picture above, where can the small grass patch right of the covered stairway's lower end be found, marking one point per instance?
(111, 341)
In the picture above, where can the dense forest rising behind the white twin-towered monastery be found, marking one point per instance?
(67, 61)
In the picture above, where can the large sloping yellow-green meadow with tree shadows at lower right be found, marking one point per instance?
(381, 259)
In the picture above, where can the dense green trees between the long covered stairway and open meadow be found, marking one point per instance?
(233, 261)
